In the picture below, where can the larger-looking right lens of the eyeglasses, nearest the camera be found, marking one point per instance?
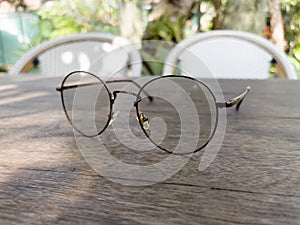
(183, 113)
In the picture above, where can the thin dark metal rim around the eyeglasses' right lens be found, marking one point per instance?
(138, 99)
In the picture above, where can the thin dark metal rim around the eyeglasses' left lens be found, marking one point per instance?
(64, 106)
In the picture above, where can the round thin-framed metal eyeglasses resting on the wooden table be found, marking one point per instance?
(167, 108)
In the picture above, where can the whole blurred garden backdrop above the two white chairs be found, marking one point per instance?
(26, 23)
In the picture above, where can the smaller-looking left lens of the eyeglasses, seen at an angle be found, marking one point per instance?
(87, 103)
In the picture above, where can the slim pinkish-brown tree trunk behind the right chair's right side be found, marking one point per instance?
(276, 23)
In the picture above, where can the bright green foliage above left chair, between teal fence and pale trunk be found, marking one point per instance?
(60, 18)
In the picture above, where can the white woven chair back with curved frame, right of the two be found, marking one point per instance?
(227, 54)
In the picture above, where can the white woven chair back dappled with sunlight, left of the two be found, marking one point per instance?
(101, 54)
